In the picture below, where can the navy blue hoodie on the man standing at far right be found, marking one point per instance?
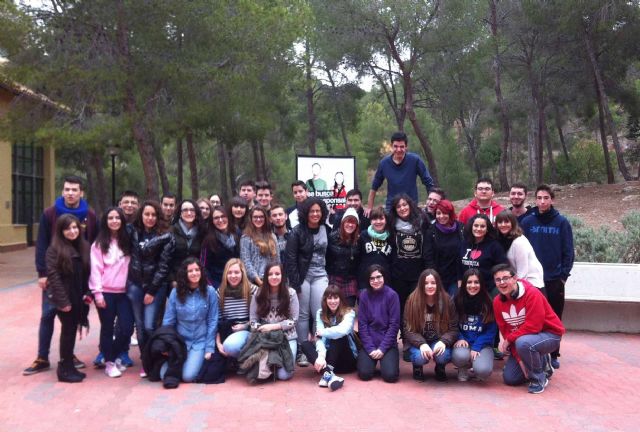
(551, 236)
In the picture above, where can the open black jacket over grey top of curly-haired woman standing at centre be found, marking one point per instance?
(298, 254)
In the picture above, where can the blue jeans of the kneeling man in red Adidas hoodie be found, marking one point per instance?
(531, 349)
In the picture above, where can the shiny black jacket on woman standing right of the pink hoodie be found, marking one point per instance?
(150, 259)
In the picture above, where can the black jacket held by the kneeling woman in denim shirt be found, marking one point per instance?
(166, 339)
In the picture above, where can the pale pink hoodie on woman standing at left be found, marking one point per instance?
(108, 271)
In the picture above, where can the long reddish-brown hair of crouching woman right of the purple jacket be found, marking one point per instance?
(415, 309)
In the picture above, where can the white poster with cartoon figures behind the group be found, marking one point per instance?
(315, 170)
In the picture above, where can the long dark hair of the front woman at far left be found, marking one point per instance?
(65, 248)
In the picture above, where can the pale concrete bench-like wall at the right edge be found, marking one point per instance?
(603, 298)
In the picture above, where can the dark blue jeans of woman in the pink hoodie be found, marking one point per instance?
(117, 305)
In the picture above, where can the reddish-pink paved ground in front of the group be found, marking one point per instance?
(595, 390)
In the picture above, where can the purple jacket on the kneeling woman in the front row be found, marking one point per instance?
(379, 319)
